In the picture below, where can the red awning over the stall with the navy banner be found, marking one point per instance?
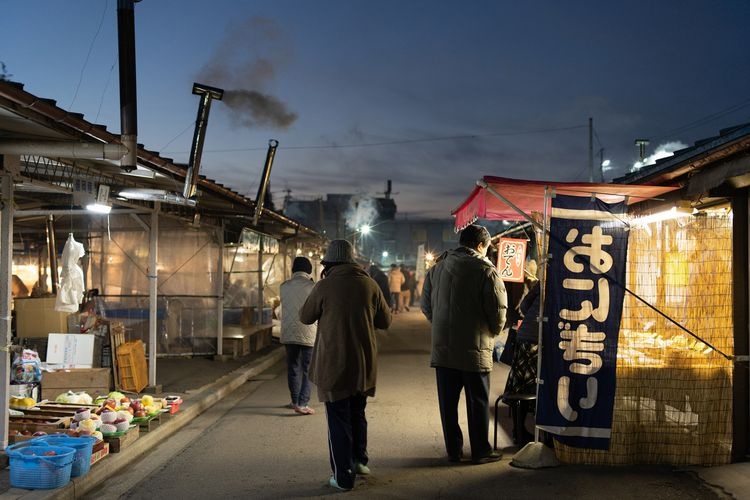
(528, 196)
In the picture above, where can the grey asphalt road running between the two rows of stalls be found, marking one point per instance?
(250, 446)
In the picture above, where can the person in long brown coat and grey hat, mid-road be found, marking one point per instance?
(348, 306)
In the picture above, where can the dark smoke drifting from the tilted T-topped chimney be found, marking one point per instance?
(244, 64)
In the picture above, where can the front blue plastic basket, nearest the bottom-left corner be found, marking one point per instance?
(31, 469)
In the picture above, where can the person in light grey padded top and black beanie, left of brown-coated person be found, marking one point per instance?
(298, 338)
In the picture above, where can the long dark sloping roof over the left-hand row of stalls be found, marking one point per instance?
(24, 116)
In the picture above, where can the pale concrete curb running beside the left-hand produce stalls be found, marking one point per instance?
(198, 403)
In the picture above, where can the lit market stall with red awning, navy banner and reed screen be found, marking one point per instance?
(670, 355)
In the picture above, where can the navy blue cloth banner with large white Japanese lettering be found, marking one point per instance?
(588, 248)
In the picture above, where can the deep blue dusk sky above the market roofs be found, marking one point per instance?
(432, 94)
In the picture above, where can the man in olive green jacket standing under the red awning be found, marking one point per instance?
(465, 300)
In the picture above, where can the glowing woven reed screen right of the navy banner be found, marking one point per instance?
(673, 403)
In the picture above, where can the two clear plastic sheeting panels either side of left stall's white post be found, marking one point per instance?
(188, 282)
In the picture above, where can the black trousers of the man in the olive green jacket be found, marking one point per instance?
(476, 387)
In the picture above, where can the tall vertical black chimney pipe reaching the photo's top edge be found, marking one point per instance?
(128, 98)
